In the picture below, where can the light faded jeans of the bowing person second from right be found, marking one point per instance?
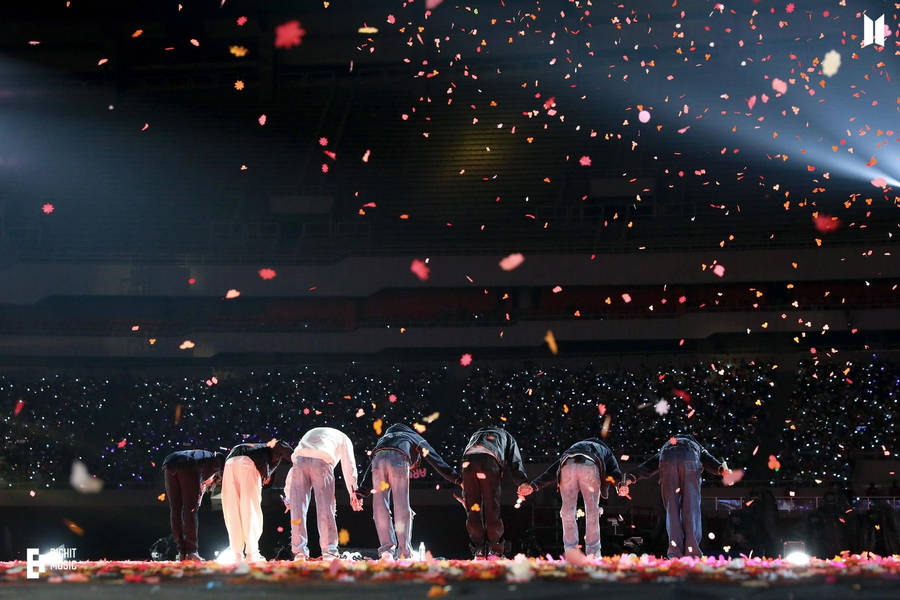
(583, 478)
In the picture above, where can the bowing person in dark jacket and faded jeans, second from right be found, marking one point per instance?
(587, 467)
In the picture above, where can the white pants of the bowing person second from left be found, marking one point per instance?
(242, 506)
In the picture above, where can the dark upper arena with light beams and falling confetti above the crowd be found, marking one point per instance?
(686, 145)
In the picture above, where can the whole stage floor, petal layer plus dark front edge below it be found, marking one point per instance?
(636, 577)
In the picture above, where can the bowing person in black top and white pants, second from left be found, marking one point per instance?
(248, 467)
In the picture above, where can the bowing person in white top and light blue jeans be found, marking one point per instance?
(315, 459)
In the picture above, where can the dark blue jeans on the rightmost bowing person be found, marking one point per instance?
(679, 482)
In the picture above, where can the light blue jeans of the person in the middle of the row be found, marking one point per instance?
(392, 467)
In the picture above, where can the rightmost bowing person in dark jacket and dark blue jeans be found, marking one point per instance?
(680, 462)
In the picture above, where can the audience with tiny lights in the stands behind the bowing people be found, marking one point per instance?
(122, 427)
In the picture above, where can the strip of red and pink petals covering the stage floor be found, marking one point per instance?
(441, 574)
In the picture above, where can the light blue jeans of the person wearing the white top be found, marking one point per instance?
(313, 475)
